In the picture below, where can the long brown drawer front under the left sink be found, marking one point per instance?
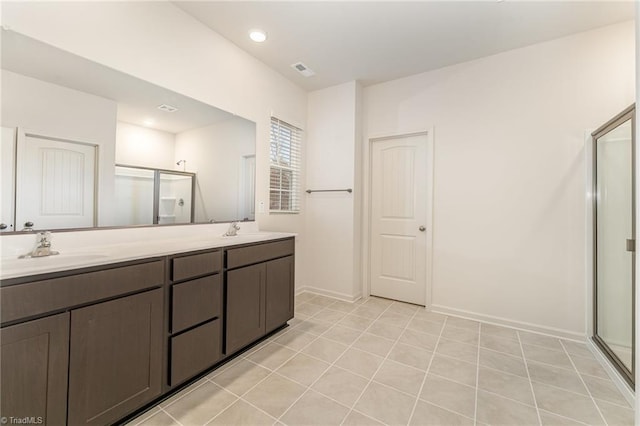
(39, 297)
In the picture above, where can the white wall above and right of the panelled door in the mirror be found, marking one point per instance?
(57, 111)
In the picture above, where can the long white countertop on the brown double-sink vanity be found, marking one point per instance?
(93, 255)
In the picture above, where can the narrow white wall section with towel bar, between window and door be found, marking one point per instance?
(332, 219)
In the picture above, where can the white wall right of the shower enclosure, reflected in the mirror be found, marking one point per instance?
(215, 153)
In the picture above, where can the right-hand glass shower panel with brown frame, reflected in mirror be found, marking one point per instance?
(175, 198)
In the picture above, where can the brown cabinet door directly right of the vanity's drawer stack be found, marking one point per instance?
(245, 306)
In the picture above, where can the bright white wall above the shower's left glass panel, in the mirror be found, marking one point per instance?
(144, 147)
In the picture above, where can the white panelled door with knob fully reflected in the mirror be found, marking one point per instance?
(55, 183)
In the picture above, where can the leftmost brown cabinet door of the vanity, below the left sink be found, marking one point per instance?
(34, 363)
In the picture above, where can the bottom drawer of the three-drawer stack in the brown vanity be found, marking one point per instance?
(195, 351)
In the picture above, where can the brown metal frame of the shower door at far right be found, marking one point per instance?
(626, 115)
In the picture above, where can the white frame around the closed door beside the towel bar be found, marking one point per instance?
(366, 203)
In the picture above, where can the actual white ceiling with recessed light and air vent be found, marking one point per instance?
(376, 41)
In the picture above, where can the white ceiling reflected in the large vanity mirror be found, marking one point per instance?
(137, 99)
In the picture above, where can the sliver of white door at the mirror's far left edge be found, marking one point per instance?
(7, 161)
